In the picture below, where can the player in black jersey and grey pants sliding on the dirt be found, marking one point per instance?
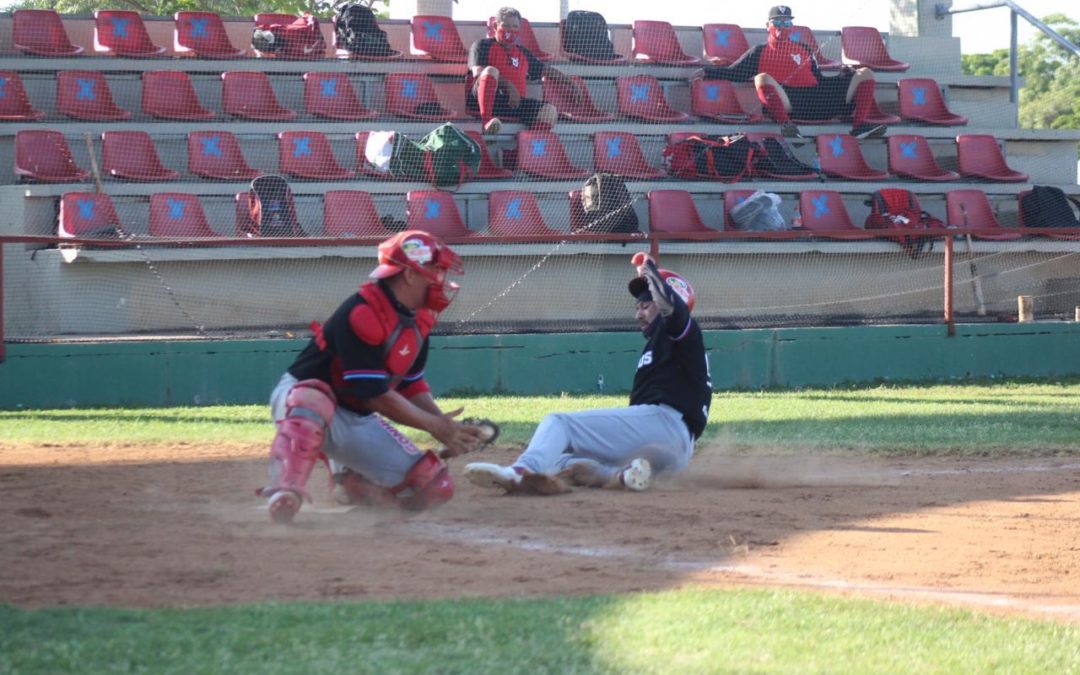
(624, 448)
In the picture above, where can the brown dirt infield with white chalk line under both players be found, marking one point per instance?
(165, 526)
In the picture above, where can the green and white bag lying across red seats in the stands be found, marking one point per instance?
(445, 157)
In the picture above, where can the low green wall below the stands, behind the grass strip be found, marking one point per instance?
(198, 373)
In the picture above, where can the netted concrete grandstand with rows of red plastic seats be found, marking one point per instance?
(163, 153)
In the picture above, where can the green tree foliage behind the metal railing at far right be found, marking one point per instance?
(1051, 94)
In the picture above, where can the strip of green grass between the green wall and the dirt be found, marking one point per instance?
(963, 420)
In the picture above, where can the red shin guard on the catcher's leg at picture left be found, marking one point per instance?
(309, 411)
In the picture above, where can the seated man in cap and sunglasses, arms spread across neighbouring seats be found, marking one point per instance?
(790, 85)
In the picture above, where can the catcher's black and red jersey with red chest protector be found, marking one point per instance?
(371, 345)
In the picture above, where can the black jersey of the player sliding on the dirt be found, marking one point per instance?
(674, 369)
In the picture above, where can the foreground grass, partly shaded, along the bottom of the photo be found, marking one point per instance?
(687, 631)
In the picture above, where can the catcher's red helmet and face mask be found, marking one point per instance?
(426, 254)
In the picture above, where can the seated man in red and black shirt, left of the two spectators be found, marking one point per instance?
(498, 70)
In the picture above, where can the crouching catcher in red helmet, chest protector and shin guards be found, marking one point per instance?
(364, 366)
